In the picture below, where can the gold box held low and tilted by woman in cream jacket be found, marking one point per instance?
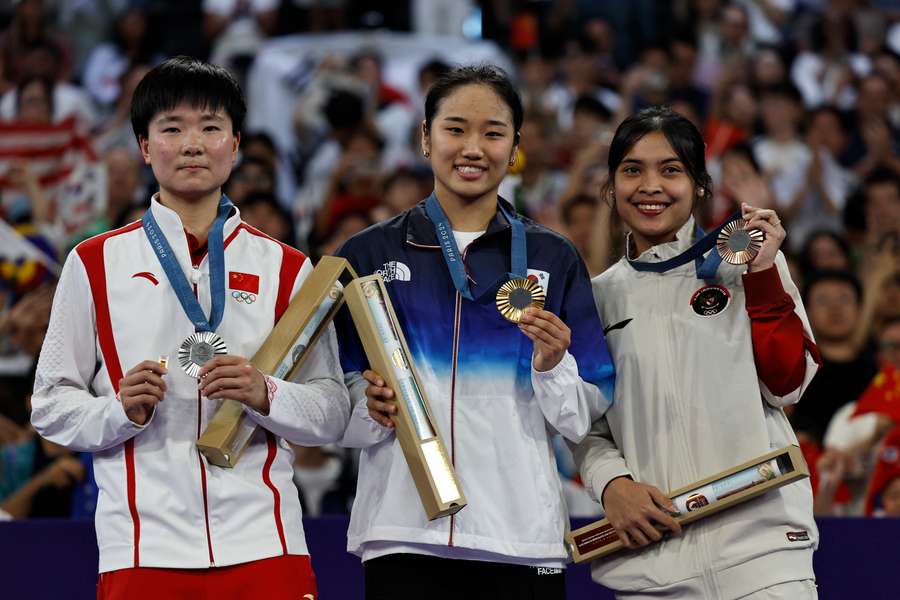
(700, 499)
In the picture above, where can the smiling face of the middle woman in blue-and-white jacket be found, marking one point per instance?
(471, 142)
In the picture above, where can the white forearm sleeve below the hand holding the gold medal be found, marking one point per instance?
(569, 403)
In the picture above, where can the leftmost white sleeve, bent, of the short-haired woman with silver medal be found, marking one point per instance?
(64, 407)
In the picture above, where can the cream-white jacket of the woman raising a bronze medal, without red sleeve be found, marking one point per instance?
(688, 404)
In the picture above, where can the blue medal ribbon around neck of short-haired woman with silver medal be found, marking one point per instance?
(176, 277)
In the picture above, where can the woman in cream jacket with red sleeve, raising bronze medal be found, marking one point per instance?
(706, 356)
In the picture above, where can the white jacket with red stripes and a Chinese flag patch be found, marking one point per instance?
(161, 504)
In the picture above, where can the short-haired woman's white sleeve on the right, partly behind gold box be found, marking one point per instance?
(312, 409)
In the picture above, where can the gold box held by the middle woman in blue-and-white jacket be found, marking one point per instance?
(425, 453)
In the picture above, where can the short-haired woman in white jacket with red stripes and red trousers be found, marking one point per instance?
(100, 387)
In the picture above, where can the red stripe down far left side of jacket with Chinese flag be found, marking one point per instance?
(91, 253)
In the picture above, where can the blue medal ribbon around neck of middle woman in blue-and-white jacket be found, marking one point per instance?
(444, 232)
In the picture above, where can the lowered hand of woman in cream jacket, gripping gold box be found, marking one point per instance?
(640, 513)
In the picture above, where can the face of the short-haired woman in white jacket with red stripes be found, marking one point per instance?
(191, 151)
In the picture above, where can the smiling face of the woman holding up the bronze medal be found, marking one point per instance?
(654, 193)
